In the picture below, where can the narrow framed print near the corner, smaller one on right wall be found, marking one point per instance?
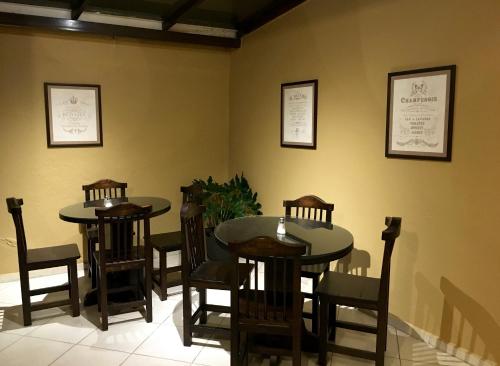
(299, 103)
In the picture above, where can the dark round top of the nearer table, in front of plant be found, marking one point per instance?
(325, 242)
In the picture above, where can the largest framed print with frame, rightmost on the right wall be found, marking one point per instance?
(420, 113)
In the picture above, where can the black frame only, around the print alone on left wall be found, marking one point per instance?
(50, 143)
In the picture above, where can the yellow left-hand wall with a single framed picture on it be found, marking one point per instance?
(165, 111)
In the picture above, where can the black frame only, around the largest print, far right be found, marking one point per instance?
(450, 71)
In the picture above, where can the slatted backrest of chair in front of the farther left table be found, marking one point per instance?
(124, 221)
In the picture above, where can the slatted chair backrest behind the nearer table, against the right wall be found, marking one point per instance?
(309, 207)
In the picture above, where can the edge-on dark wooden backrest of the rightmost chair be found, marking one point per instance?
(389, 236)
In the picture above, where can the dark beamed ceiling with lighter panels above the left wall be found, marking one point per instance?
(220, 23)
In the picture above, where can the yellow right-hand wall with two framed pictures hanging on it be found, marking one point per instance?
(446, 264)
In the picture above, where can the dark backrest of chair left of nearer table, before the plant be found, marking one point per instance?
(193, 237)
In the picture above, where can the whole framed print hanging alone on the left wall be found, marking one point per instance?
(73, 113)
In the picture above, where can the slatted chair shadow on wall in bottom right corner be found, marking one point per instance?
(467, 324)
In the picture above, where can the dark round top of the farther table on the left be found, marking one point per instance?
(84, 212)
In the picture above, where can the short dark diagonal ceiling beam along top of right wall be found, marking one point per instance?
(263, 16)
